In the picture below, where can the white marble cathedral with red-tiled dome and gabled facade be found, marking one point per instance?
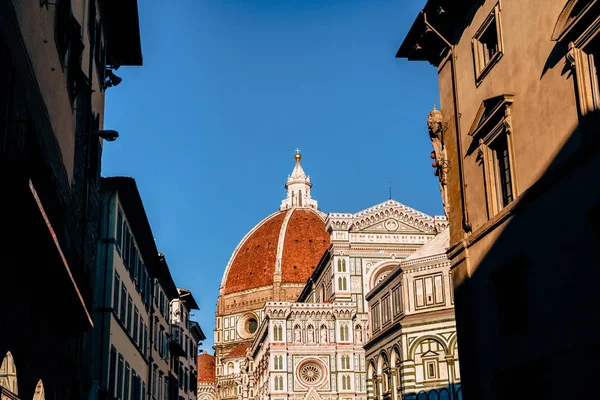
(310, 343)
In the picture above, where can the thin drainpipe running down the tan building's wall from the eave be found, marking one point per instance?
(465, 216)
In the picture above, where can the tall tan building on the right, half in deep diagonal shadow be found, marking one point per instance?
(514, 142)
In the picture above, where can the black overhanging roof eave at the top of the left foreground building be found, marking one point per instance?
(122, 24)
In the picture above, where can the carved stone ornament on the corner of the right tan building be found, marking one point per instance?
(436, 134)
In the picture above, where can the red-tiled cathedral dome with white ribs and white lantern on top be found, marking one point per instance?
(284, 248)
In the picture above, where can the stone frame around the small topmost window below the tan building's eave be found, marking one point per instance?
(481, 71)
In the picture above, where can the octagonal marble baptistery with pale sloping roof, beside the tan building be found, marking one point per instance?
(413, 352)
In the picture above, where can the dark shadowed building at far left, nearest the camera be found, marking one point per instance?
(53, 62)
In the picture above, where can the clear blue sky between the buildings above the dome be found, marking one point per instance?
(230, 88)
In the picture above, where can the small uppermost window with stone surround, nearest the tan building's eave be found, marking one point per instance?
(487, 45)
